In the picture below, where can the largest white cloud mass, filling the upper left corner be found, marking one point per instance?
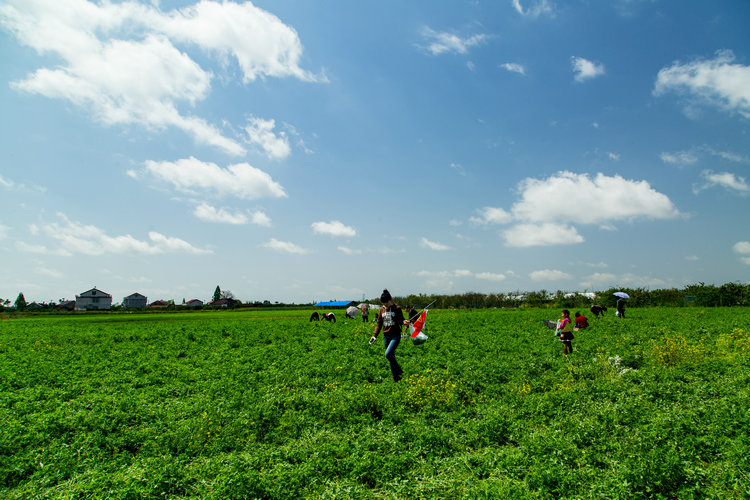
(102, 51)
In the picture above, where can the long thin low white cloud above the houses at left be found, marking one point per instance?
(73, 237)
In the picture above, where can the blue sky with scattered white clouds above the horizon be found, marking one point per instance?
(298, 151)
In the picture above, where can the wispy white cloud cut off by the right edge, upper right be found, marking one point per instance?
(716, 82)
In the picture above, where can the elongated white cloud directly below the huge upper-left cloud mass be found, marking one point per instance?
(240, 180)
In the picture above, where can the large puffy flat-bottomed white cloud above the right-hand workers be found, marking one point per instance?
(576, 198)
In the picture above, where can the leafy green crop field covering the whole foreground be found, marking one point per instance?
(269, 405)
